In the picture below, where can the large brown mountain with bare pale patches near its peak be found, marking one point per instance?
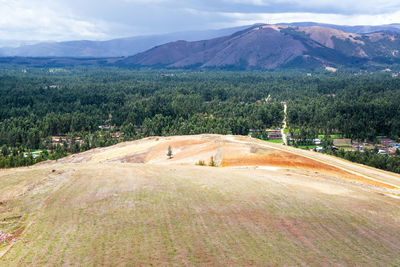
(276, 46)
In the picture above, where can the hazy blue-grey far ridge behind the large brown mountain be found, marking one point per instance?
(133, 45)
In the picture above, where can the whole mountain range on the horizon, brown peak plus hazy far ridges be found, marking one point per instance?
(256, 47)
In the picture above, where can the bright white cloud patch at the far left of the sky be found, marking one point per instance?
(25, 20)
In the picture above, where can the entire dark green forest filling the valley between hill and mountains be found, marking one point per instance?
(41, 103)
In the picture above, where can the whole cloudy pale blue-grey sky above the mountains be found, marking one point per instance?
(61, 20)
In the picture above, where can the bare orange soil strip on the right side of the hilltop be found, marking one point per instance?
(277, 158)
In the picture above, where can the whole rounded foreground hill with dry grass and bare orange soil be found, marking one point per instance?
(266, 205)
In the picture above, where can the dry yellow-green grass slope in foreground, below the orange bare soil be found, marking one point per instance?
(123, 214)
